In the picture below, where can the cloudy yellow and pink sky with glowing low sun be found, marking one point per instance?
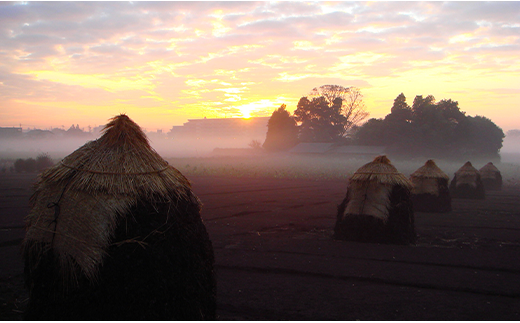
(162, 63)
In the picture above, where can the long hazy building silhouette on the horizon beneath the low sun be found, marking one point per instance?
(250, 128)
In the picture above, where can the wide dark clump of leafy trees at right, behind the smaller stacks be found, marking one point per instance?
(434, 129)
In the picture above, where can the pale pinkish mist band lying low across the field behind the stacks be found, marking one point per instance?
(194, 157)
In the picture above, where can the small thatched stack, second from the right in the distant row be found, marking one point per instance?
(467, 184)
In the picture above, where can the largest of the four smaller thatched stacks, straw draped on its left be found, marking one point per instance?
(377, 207)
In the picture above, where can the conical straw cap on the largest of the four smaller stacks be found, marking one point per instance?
(381, 171)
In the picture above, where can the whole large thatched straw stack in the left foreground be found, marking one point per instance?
(115, 233)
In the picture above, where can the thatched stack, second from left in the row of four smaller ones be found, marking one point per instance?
(430, 192)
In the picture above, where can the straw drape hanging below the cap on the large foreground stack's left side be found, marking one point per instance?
(78, 229)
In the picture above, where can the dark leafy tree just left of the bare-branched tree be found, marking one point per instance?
(320, 121)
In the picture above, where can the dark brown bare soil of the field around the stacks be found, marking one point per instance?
(276, 260)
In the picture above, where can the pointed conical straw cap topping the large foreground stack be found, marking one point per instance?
(120, 162)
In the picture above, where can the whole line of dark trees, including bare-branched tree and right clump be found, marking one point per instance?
(333, 113)
